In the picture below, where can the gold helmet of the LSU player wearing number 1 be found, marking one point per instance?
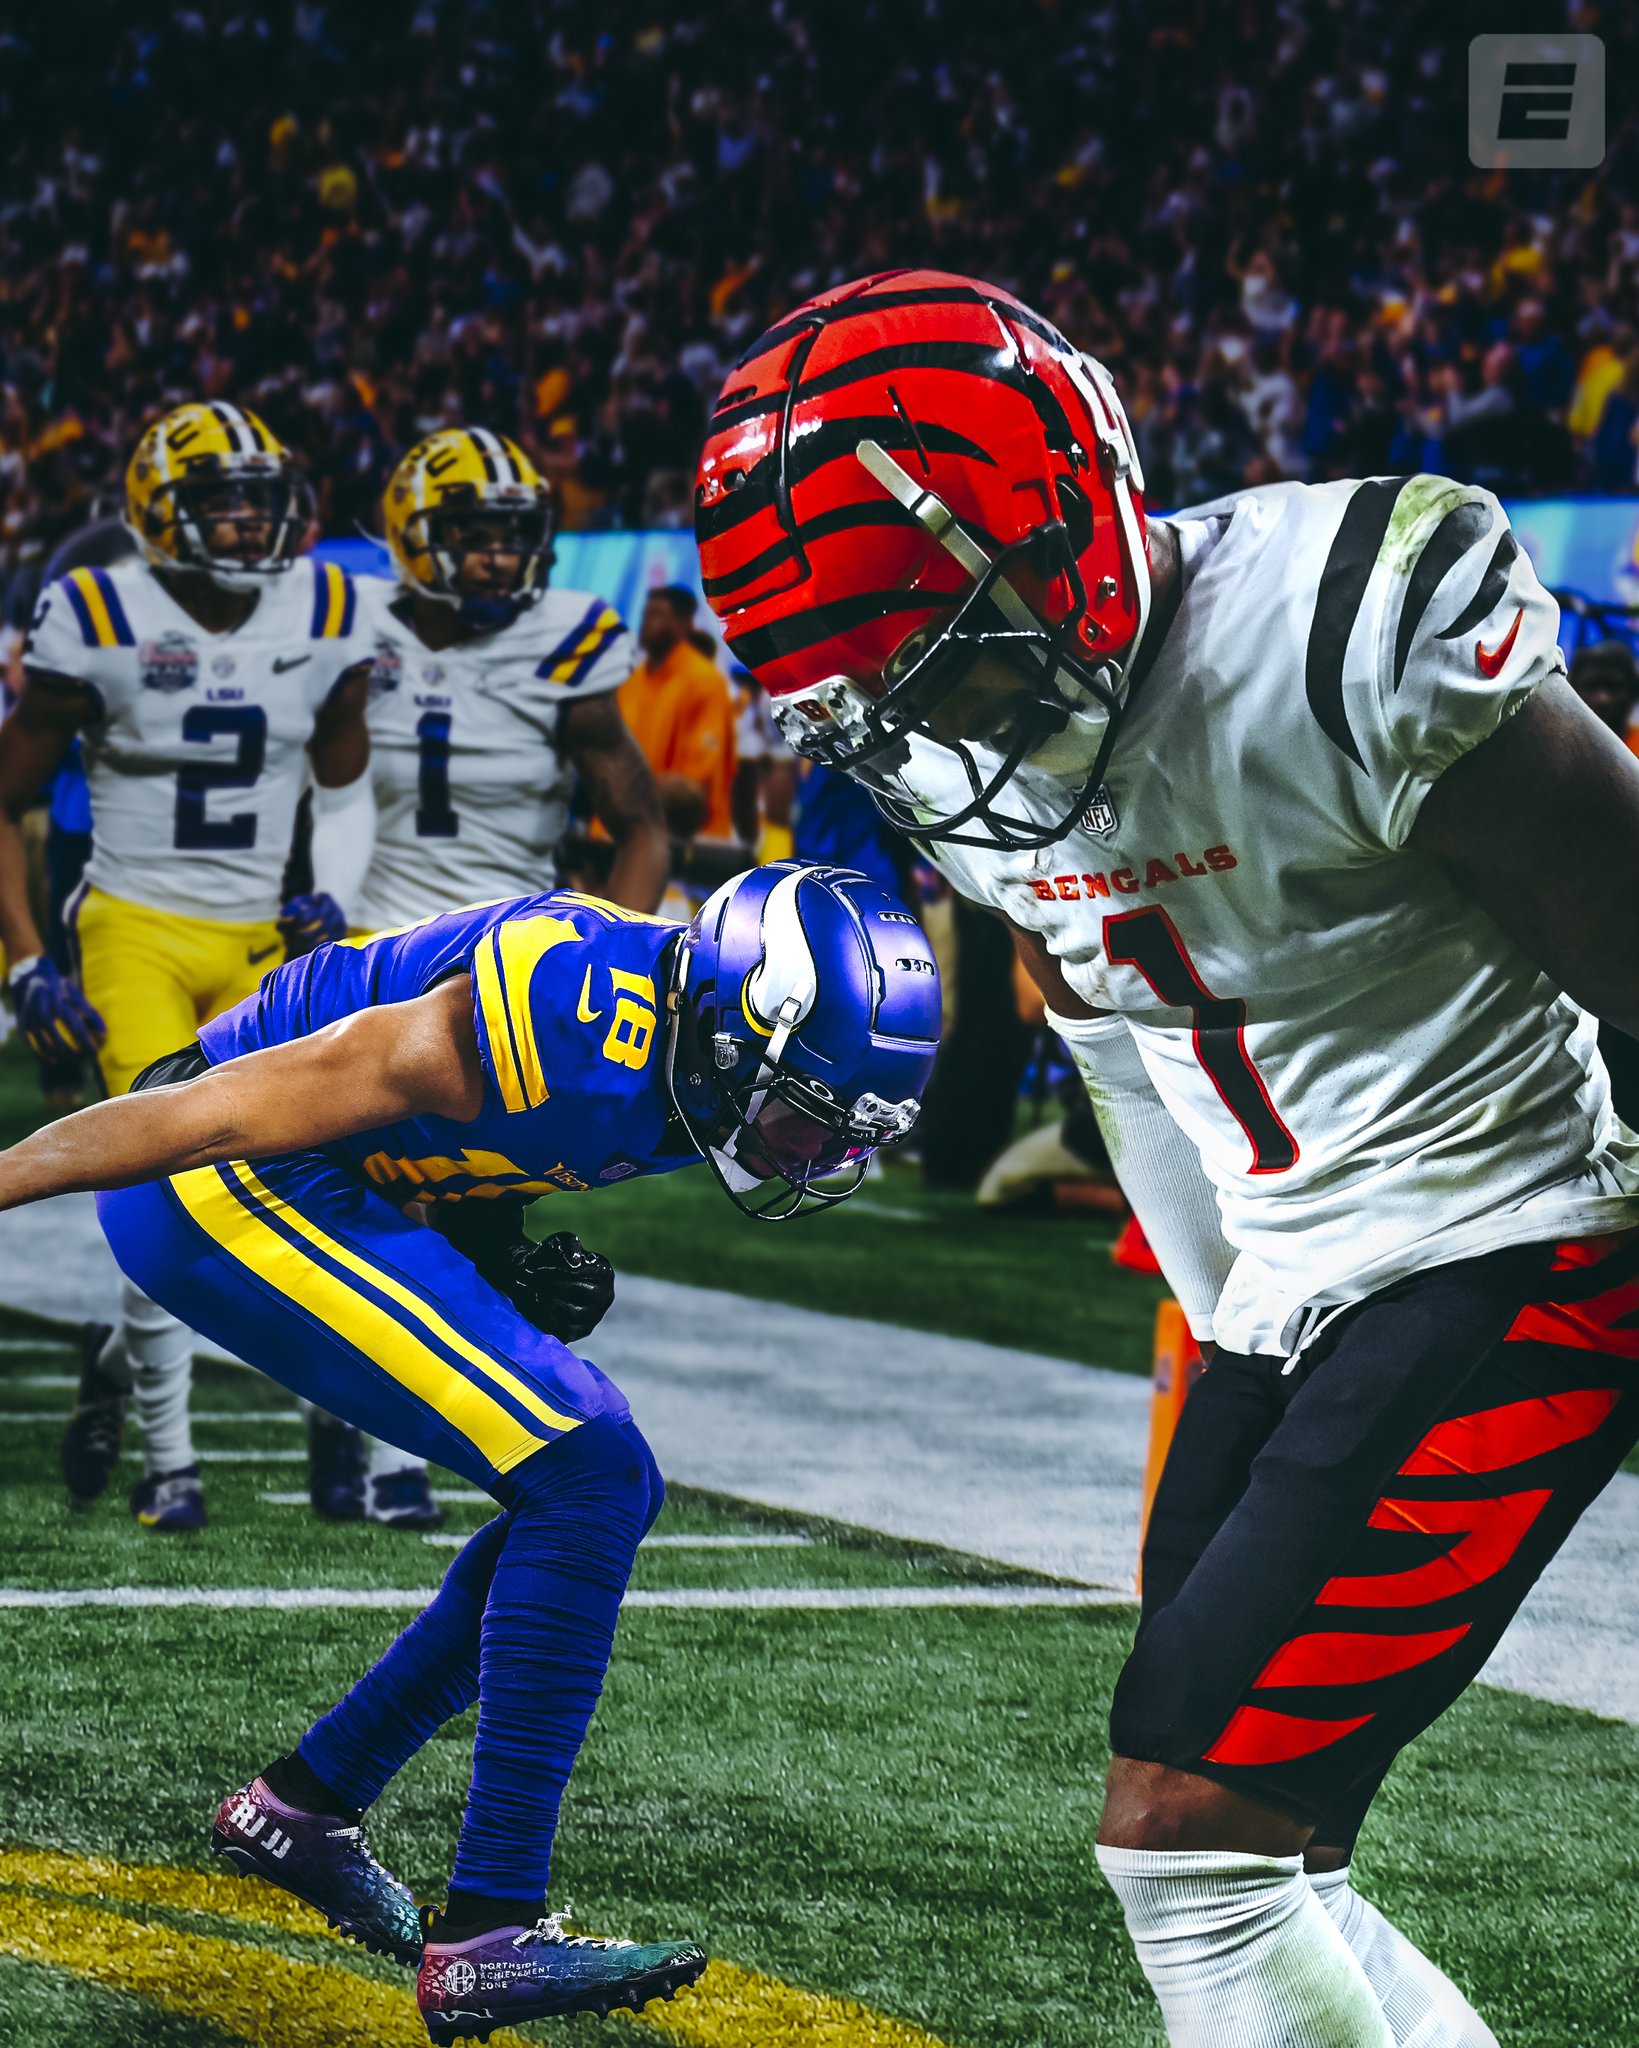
(468, 493)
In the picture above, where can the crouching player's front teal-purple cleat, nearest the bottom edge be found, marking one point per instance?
(513, 1975)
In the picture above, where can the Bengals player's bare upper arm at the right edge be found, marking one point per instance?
(1540, 824)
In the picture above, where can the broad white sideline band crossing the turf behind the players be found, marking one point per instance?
(1009, 1455)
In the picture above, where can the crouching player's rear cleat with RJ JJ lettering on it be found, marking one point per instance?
(323, 1861)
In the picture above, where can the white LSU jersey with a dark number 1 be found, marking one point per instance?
(472, 790)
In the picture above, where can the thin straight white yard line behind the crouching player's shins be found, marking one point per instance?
(761, 1598)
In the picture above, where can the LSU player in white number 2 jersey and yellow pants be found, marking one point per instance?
(206, 681)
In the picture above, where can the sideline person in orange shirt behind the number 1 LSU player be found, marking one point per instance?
(679, 710)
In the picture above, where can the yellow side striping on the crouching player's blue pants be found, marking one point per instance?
(358, 1320)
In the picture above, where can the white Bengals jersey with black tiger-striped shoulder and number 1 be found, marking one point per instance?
(1376, 1076)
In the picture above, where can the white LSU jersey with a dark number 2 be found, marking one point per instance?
(200, 751)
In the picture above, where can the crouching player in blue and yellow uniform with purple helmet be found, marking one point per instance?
(333, 1181)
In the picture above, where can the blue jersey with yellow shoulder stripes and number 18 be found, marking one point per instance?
(569, 998)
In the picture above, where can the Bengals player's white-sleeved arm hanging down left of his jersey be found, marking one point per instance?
(1157, 1164)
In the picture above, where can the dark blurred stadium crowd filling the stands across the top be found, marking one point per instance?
(564, 220)
